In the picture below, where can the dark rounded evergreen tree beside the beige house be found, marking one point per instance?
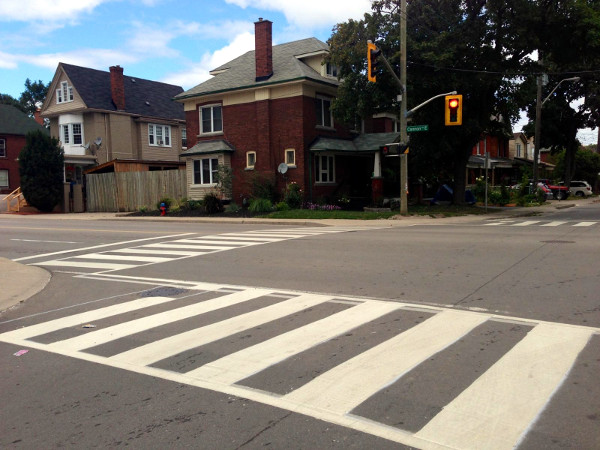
(41, 165)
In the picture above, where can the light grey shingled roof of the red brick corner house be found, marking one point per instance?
(240, 73)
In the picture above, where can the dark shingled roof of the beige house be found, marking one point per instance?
(142, 97)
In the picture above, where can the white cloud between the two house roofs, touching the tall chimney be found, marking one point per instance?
(195, 74)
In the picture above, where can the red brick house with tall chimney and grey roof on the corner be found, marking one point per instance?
(271, 109)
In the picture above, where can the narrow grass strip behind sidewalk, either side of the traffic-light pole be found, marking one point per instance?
(417, 210)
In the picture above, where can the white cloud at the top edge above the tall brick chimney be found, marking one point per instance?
(309, 14)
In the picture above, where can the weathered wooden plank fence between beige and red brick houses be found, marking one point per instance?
(129, 191)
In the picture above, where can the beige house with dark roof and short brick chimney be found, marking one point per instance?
(113, 120)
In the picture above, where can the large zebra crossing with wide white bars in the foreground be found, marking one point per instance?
(494, 411)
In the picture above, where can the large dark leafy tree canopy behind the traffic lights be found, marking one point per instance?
(485, 50)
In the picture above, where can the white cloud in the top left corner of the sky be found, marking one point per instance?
(44, 10)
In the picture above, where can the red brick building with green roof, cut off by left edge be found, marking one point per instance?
(14, 125)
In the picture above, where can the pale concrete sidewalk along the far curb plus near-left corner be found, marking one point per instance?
(20, 282)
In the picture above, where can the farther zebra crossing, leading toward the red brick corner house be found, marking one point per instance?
(190, 246)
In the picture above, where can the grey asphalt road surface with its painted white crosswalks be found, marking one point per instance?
(431, 334)
